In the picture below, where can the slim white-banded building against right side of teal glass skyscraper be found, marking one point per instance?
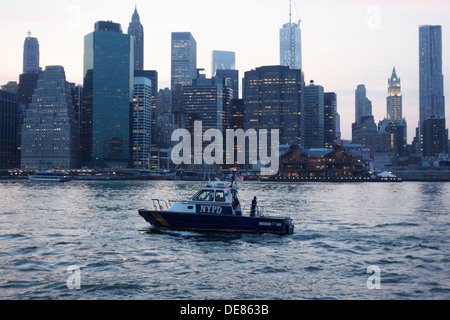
(142, 122)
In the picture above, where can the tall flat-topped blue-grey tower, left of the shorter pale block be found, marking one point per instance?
(184, 59)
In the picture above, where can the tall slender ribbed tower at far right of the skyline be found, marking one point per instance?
(432, 100)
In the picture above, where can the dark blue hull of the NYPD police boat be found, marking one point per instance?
(217, 222)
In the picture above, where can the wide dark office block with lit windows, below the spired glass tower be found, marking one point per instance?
(273, 99)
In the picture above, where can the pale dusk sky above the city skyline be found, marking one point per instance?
(344, 43)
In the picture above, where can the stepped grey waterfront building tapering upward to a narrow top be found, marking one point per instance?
(49, 131)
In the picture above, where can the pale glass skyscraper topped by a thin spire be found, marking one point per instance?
(291, 44)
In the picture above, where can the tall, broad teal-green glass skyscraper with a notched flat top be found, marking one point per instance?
(108, 87)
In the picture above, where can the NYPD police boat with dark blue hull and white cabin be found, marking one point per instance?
(215, 208)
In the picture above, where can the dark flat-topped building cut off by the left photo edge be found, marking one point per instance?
(9, 113)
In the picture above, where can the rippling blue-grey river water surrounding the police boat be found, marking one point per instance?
(340, 231)
